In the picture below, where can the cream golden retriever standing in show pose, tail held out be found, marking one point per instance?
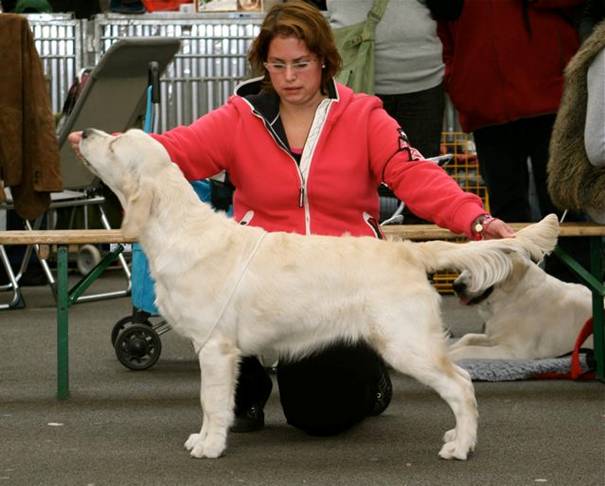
(236, 290)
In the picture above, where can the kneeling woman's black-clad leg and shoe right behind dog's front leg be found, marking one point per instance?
(252, 392)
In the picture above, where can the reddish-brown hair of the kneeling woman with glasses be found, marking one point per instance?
(305, 22)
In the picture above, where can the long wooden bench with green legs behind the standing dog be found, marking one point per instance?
(64, 239)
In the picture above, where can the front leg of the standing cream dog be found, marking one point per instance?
(218, 365)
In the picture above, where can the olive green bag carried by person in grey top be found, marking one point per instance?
(355, 44)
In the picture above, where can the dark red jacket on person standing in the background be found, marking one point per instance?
(505, 62)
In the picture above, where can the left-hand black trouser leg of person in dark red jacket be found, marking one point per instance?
(503, 166)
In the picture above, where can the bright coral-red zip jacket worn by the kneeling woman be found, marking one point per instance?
(353, 145)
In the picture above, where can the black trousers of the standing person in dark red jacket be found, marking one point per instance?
(503, 152)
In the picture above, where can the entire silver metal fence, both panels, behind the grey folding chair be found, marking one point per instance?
(211, 62)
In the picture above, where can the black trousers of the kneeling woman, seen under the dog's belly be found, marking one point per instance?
(323, 394)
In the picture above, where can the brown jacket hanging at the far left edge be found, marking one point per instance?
(29, 152)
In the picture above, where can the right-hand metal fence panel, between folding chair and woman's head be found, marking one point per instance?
(210, 63)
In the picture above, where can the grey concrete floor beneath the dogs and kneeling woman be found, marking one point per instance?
(127, 428)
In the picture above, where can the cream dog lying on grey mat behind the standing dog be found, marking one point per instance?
(528, 315)
